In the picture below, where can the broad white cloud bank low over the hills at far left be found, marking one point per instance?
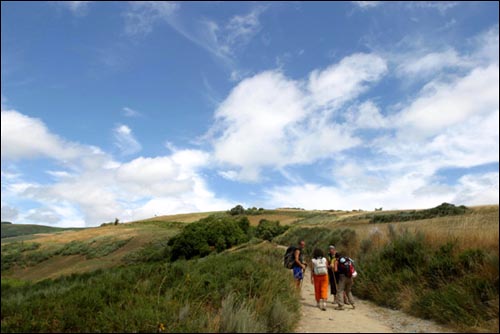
(89, 187)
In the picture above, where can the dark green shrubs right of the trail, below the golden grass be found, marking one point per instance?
(458, 288)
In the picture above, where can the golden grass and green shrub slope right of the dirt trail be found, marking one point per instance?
(444, 268)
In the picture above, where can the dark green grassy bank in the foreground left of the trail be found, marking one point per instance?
(243, 291)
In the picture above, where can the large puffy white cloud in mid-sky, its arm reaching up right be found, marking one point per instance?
(269, 120)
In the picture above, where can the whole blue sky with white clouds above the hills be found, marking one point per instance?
(134, 109)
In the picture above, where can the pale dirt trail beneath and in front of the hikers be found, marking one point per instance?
(366, 318)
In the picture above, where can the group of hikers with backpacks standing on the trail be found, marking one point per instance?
(334, 269)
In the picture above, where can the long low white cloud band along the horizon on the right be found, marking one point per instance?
(402, 191)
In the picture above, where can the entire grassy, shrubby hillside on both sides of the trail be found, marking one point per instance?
(444, 268)
